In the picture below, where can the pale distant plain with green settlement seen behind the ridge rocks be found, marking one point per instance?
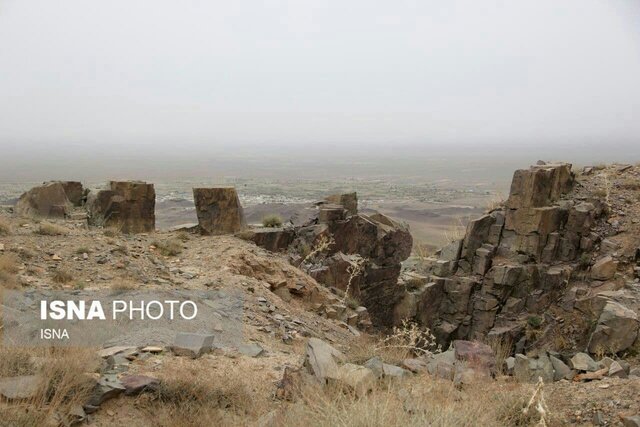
(433, 209)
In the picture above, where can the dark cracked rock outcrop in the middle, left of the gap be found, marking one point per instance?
(359, 255)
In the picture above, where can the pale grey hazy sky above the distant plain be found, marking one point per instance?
(83, 82)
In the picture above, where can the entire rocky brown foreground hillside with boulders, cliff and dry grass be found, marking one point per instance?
(336, 310)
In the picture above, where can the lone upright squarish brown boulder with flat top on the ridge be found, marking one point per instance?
(219, 210)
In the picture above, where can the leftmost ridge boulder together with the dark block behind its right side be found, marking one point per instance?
(53, 199)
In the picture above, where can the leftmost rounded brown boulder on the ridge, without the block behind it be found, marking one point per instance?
(46, 200)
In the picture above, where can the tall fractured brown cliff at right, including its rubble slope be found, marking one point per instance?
(548, 255)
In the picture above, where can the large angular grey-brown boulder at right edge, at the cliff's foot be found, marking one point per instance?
(617, 329)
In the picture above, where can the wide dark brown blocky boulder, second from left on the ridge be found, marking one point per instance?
(126, 205)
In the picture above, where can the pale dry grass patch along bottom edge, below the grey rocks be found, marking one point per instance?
(418, 401)
